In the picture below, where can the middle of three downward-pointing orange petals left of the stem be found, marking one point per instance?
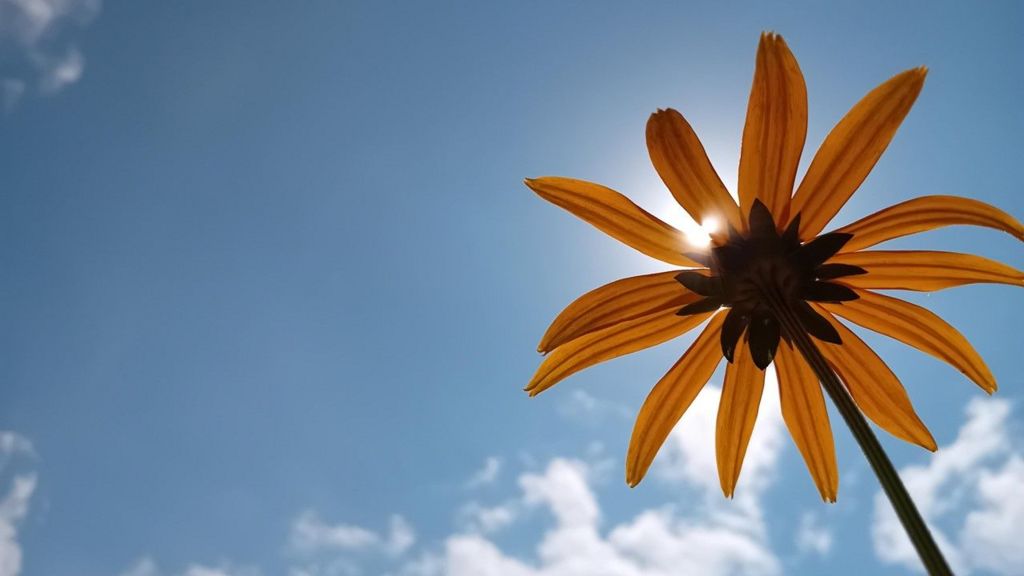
(737, 415)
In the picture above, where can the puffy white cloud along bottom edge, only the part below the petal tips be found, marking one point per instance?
(658, 543)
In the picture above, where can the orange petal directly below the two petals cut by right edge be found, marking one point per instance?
(918, 327)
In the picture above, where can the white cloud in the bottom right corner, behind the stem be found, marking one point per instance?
(978, 478)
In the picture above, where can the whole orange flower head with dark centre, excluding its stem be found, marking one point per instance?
(772, 257)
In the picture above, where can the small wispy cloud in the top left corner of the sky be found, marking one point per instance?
(36, 48)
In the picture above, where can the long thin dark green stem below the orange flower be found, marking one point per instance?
(891, 483)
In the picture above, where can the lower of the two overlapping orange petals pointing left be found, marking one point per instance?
(625, 338)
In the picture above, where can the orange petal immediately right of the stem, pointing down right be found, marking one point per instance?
(874, 387)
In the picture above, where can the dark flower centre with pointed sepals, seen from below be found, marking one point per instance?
(759, 275)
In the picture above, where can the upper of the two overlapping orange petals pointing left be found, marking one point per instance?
(624, 300)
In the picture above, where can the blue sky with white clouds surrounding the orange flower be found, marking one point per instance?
(272, 287)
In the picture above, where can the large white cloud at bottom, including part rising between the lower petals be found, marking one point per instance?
(714, 538)
